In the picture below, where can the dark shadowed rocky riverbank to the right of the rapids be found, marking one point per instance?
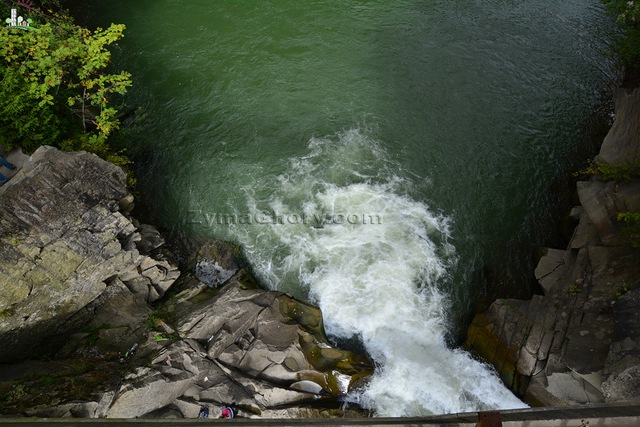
(580, 341)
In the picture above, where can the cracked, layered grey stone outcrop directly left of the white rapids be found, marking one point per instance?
(264, 350)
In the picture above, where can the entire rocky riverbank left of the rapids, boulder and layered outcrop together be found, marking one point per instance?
(96, 319)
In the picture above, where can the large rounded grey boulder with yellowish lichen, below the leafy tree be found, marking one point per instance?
(68, 248)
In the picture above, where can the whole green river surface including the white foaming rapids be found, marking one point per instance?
(374, 157)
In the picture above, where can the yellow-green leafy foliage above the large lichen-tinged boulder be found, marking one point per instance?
(55, 85)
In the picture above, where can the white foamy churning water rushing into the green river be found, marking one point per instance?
(377, 263)
